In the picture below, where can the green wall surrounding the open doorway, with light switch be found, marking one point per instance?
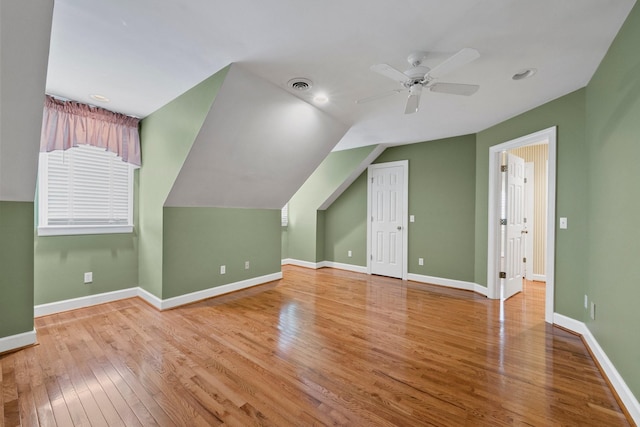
(568, 114)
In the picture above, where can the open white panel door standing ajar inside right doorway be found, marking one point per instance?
(514, 241)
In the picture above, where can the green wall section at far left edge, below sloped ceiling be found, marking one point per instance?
(16, 265)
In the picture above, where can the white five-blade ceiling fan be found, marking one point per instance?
(419, 76)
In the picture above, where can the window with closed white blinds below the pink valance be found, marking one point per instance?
(84, 190)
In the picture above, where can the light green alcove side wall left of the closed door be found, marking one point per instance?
(304, 242)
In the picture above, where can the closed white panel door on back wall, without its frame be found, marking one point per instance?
(387, 200)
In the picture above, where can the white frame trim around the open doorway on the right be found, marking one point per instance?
(493, 252)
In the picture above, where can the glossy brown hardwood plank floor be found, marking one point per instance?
(319, 347)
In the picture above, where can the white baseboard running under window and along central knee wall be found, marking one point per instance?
(160, 304)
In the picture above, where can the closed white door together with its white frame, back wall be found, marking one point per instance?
(387, 208)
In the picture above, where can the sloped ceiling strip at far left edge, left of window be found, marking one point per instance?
(24, 49)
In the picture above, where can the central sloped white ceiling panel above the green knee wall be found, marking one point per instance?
(256, 147)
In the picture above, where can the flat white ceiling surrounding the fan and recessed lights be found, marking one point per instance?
(143, 53)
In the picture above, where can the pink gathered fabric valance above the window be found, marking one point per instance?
(67, 124)
